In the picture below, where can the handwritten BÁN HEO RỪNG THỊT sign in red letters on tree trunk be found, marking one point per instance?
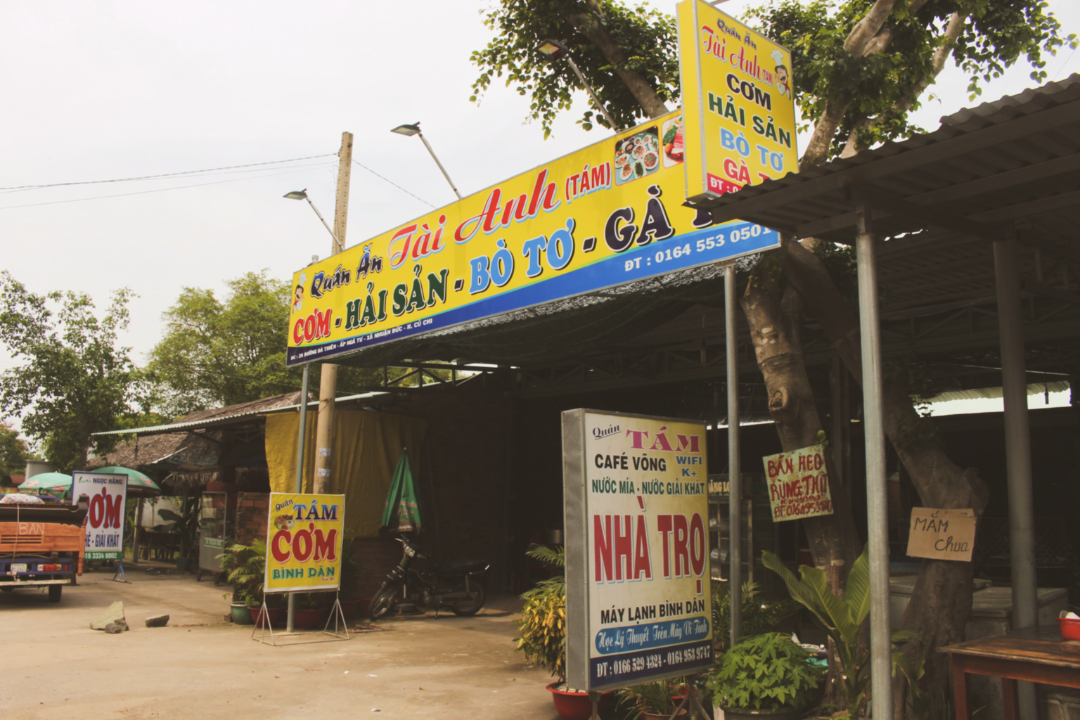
(799, 484)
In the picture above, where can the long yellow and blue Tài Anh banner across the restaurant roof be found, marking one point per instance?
(607, 215)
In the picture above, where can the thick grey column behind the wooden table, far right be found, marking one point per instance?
(1018, 451)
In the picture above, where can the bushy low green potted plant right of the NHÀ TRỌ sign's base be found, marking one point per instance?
(766, 676)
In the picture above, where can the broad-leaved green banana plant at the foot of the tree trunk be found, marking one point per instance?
(841, 619)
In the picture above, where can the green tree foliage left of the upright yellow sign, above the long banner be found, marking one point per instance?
(628, 55)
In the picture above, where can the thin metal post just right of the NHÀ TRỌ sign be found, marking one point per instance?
(735, 470)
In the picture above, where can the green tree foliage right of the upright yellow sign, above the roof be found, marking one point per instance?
(860, 67)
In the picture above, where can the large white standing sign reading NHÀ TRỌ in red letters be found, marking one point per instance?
(639, 602)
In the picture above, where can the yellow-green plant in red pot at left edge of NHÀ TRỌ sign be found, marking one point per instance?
(542, 634)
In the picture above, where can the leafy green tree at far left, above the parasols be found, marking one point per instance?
(74, 378)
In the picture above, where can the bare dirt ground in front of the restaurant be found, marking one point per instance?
(53, 667)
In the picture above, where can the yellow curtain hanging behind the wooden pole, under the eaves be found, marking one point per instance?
(366, 451)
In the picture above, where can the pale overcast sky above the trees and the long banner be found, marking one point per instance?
(104, 90)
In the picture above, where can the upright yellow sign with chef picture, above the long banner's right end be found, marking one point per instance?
(738, 102)
